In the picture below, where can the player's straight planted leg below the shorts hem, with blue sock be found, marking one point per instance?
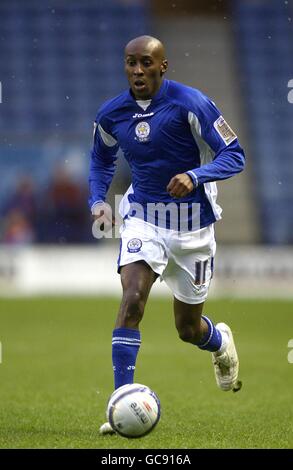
(137, 279)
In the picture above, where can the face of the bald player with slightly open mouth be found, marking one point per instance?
(144, 68)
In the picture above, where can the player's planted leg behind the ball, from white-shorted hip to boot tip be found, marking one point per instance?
(142, 258)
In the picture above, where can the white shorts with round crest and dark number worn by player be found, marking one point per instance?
(184, 260)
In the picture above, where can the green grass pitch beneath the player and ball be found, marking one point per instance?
(56, 376)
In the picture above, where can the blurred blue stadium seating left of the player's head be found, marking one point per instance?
(59, 60)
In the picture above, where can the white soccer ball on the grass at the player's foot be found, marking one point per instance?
(133, 410)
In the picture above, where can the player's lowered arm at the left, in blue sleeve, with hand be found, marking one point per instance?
(102, 165)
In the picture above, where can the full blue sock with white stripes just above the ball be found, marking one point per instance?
(125, 346)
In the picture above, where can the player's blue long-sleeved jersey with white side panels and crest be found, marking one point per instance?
(180, 131)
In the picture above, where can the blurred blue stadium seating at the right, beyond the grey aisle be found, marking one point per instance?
(264, 31)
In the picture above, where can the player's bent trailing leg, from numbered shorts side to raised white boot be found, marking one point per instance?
(188, 274)
